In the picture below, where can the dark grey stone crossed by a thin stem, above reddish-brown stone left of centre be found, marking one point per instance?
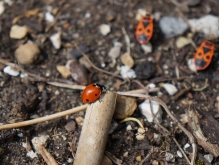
(75, 53)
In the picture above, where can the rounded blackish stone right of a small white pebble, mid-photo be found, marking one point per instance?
(144, 70)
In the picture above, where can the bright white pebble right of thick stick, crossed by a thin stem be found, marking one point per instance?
(146, 111)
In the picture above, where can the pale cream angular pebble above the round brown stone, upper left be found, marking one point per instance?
(18, 32)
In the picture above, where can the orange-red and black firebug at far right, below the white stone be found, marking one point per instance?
(204, 55)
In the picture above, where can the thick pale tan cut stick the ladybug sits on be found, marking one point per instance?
(95, 131)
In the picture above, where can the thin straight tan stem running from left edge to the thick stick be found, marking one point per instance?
(42, 119)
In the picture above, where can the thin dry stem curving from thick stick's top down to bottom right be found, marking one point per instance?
(190, 136)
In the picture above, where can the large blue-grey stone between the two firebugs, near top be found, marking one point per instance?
(172, 26)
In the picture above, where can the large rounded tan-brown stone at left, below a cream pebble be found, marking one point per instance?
(27, 53)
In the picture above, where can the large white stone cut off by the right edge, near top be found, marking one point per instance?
(207, 24)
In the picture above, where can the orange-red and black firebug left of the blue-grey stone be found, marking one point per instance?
(144, 29)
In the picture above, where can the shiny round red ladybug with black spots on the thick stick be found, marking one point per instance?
(92, 92)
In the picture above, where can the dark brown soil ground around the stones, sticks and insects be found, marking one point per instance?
(78, 22)
